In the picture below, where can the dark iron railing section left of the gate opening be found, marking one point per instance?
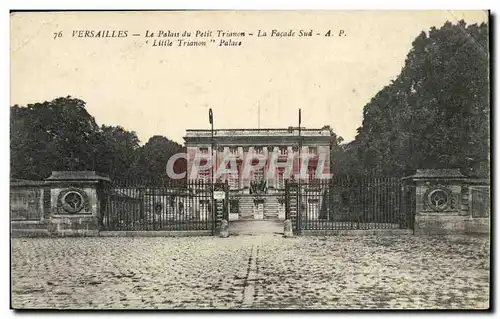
(169, 206)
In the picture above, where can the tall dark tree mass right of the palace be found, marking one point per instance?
(435, 114)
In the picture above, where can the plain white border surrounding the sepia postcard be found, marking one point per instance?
(195, 4)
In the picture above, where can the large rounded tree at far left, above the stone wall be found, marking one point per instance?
(55, 135)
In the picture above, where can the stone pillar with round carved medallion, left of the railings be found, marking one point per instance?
(76, 202)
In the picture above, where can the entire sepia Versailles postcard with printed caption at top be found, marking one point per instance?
(250, 160)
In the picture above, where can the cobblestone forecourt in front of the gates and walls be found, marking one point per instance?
(264, 271)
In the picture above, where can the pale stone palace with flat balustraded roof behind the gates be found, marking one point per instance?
(259, 162)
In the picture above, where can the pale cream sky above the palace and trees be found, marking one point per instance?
(166, 90)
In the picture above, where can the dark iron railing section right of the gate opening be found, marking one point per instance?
(351, 203)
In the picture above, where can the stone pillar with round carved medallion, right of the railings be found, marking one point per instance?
(438, 199)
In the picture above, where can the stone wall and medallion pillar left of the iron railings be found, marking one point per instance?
(65, 204)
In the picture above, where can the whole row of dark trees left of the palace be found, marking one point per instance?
(62, 135)
